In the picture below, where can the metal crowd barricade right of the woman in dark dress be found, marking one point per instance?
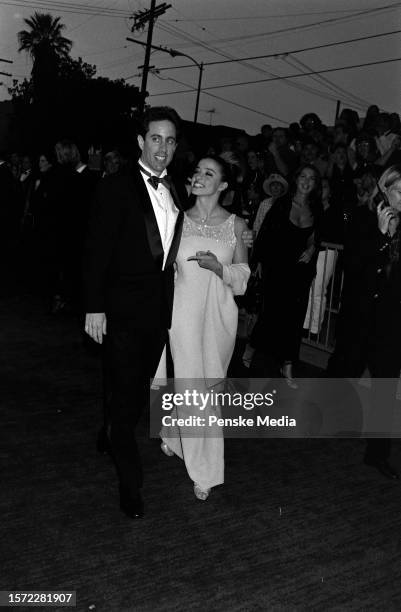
(320, 320)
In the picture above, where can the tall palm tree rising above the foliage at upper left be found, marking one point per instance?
(47, 47)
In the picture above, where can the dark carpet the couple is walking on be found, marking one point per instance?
(298, 525)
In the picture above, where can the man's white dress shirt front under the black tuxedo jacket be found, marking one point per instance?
(165, 210)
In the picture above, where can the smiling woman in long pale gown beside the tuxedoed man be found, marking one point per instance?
(211, 269)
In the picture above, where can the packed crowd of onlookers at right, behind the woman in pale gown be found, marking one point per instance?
(351, 156)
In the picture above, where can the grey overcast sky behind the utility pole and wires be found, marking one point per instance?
(217, 30)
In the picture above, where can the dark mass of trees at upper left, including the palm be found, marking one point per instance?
(64, 98)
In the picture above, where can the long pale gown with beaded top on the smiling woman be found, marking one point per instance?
(202, 339)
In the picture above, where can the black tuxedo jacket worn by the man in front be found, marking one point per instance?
(123, 256)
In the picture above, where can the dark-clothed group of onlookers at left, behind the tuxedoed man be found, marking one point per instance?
(44, 212)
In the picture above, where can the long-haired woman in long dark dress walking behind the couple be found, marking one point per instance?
(286, 248)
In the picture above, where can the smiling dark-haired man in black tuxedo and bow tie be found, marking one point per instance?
(133, 238)
